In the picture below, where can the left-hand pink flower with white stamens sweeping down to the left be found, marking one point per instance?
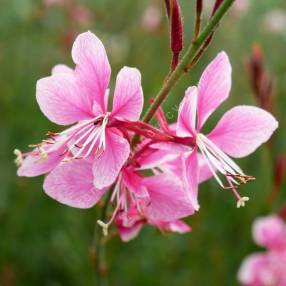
(80, 97)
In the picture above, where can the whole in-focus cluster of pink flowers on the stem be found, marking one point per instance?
(156, 180)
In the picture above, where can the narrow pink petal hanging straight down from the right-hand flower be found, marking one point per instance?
(190, 176)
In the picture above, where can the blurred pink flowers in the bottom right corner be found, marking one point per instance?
(268, 268)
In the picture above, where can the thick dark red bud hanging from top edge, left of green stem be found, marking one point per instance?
(176, 30)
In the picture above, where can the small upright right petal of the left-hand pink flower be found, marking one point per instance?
(128, 95)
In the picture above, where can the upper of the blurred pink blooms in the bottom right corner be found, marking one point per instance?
(270, 232)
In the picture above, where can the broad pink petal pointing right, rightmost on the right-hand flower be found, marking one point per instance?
(242, 130)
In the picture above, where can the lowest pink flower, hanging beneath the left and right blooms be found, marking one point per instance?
(159, 200)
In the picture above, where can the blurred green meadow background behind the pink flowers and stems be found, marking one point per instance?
(45, 243)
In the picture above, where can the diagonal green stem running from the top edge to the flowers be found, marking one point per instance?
(186, 60)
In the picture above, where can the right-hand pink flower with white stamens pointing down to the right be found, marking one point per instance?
(239, 132)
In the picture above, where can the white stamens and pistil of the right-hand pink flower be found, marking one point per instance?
(219, 162)
